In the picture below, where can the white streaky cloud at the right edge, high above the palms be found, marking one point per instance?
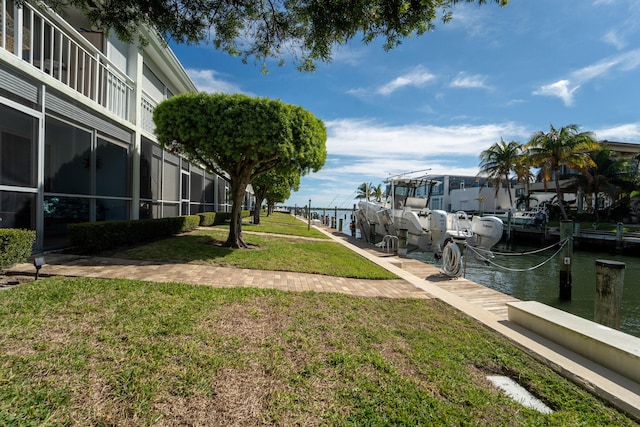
(607, 67)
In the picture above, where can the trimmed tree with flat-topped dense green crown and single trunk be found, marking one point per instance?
(242, 137)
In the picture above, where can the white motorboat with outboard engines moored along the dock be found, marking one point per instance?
(402, 214)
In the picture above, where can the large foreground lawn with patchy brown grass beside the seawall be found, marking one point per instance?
(127, 353)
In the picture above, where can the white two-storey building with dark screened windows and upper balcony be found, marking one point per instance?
(76, 134)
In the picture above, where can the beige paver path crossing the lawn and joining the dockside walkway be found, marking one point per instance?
(105, 267)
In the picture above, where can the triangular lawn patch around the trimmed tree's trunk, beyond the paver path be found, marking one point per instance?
(302, 251)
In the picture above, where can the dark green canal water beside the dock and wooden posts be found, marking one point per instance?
(542, 284)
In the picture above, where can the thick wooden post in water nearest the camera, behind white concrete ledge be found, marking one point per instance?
(609, 285)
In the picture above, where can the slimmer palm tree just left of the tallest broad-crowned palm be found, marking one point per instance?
(498, 161)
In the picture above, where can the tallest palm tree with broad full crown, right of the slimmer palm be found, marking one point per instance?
(561, 147)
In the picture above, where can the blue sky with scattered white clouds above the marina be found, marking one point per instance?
(438, 100)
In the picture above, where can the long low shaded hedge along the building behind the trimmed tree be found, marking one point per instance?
(93, 237)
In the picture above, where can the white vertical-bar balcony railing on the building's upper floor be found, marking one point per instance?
(64, 54)
